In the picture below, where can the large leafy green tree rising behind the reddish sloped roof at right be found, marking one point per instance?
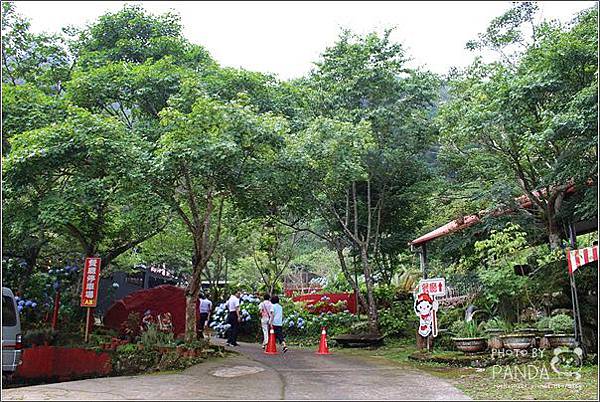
(531, 122)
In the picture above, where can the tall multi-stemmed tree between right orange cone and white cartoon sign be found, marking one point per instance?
(364, 81)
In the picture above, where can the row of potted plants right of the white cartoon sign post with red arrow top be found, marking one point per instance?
(496, 333)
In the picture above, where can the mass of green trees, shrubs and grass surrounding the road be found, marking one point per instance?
(124, 139)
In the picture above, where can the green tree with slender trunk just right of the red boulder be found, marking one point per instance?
(205, 157)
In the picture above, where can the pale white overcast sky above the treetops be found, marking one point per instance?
(285, 38)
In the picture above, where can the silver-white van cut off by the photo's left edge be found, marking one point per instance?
(11, 333)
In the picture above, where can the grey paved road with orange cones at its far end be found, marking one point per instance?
(299, 374)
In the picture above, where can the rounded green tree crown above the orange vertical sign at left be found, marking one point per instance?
(85, 177)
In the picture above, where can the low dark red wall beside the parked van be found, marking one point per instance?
(62, 363)
